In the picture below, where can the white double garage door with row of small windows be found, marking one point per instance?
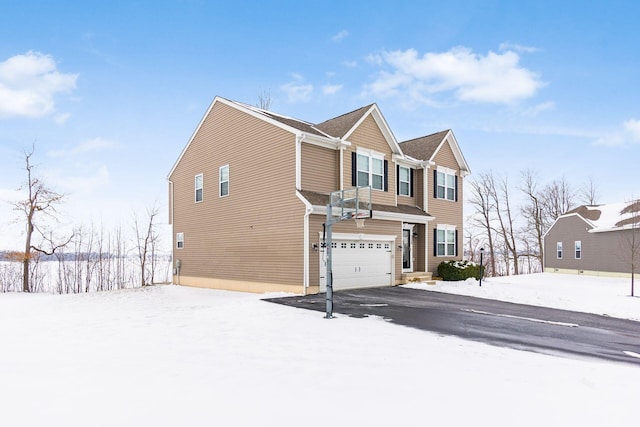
(358, 264)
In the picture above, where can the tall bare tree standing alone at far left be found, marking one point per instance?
(41, 201)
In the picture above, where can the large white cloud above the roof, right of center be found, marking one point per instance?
(490, 78)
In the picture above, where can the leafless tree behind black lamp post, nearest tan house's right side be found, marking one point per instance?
(482, 202)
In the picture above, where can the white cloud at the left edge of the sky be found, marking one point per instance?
(29, 84)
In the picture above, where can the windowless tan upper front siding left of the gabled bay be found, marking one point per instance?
(320, 169)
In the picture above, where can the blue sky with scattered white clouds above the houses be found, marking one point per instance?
(110, 92)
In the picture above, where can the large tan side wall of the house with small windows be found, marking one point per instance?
(255, 234)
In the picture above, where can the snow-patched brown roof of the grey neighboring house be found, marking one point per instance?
(608, 217)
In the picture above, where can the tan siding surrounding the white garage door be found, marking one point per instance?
(372, 226)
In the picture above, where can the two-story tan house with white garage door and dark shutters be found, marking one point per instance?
(248, 198)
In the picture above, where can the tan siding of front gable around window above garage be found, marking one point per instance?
(368, 136)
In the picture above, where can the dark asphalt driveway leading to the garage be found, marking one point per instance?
(518, 326)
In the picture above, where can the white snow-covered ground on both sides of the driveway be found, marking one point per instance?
(175, 356)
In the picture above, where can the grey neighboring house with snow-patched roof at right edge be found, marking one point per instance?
(594, 240)
